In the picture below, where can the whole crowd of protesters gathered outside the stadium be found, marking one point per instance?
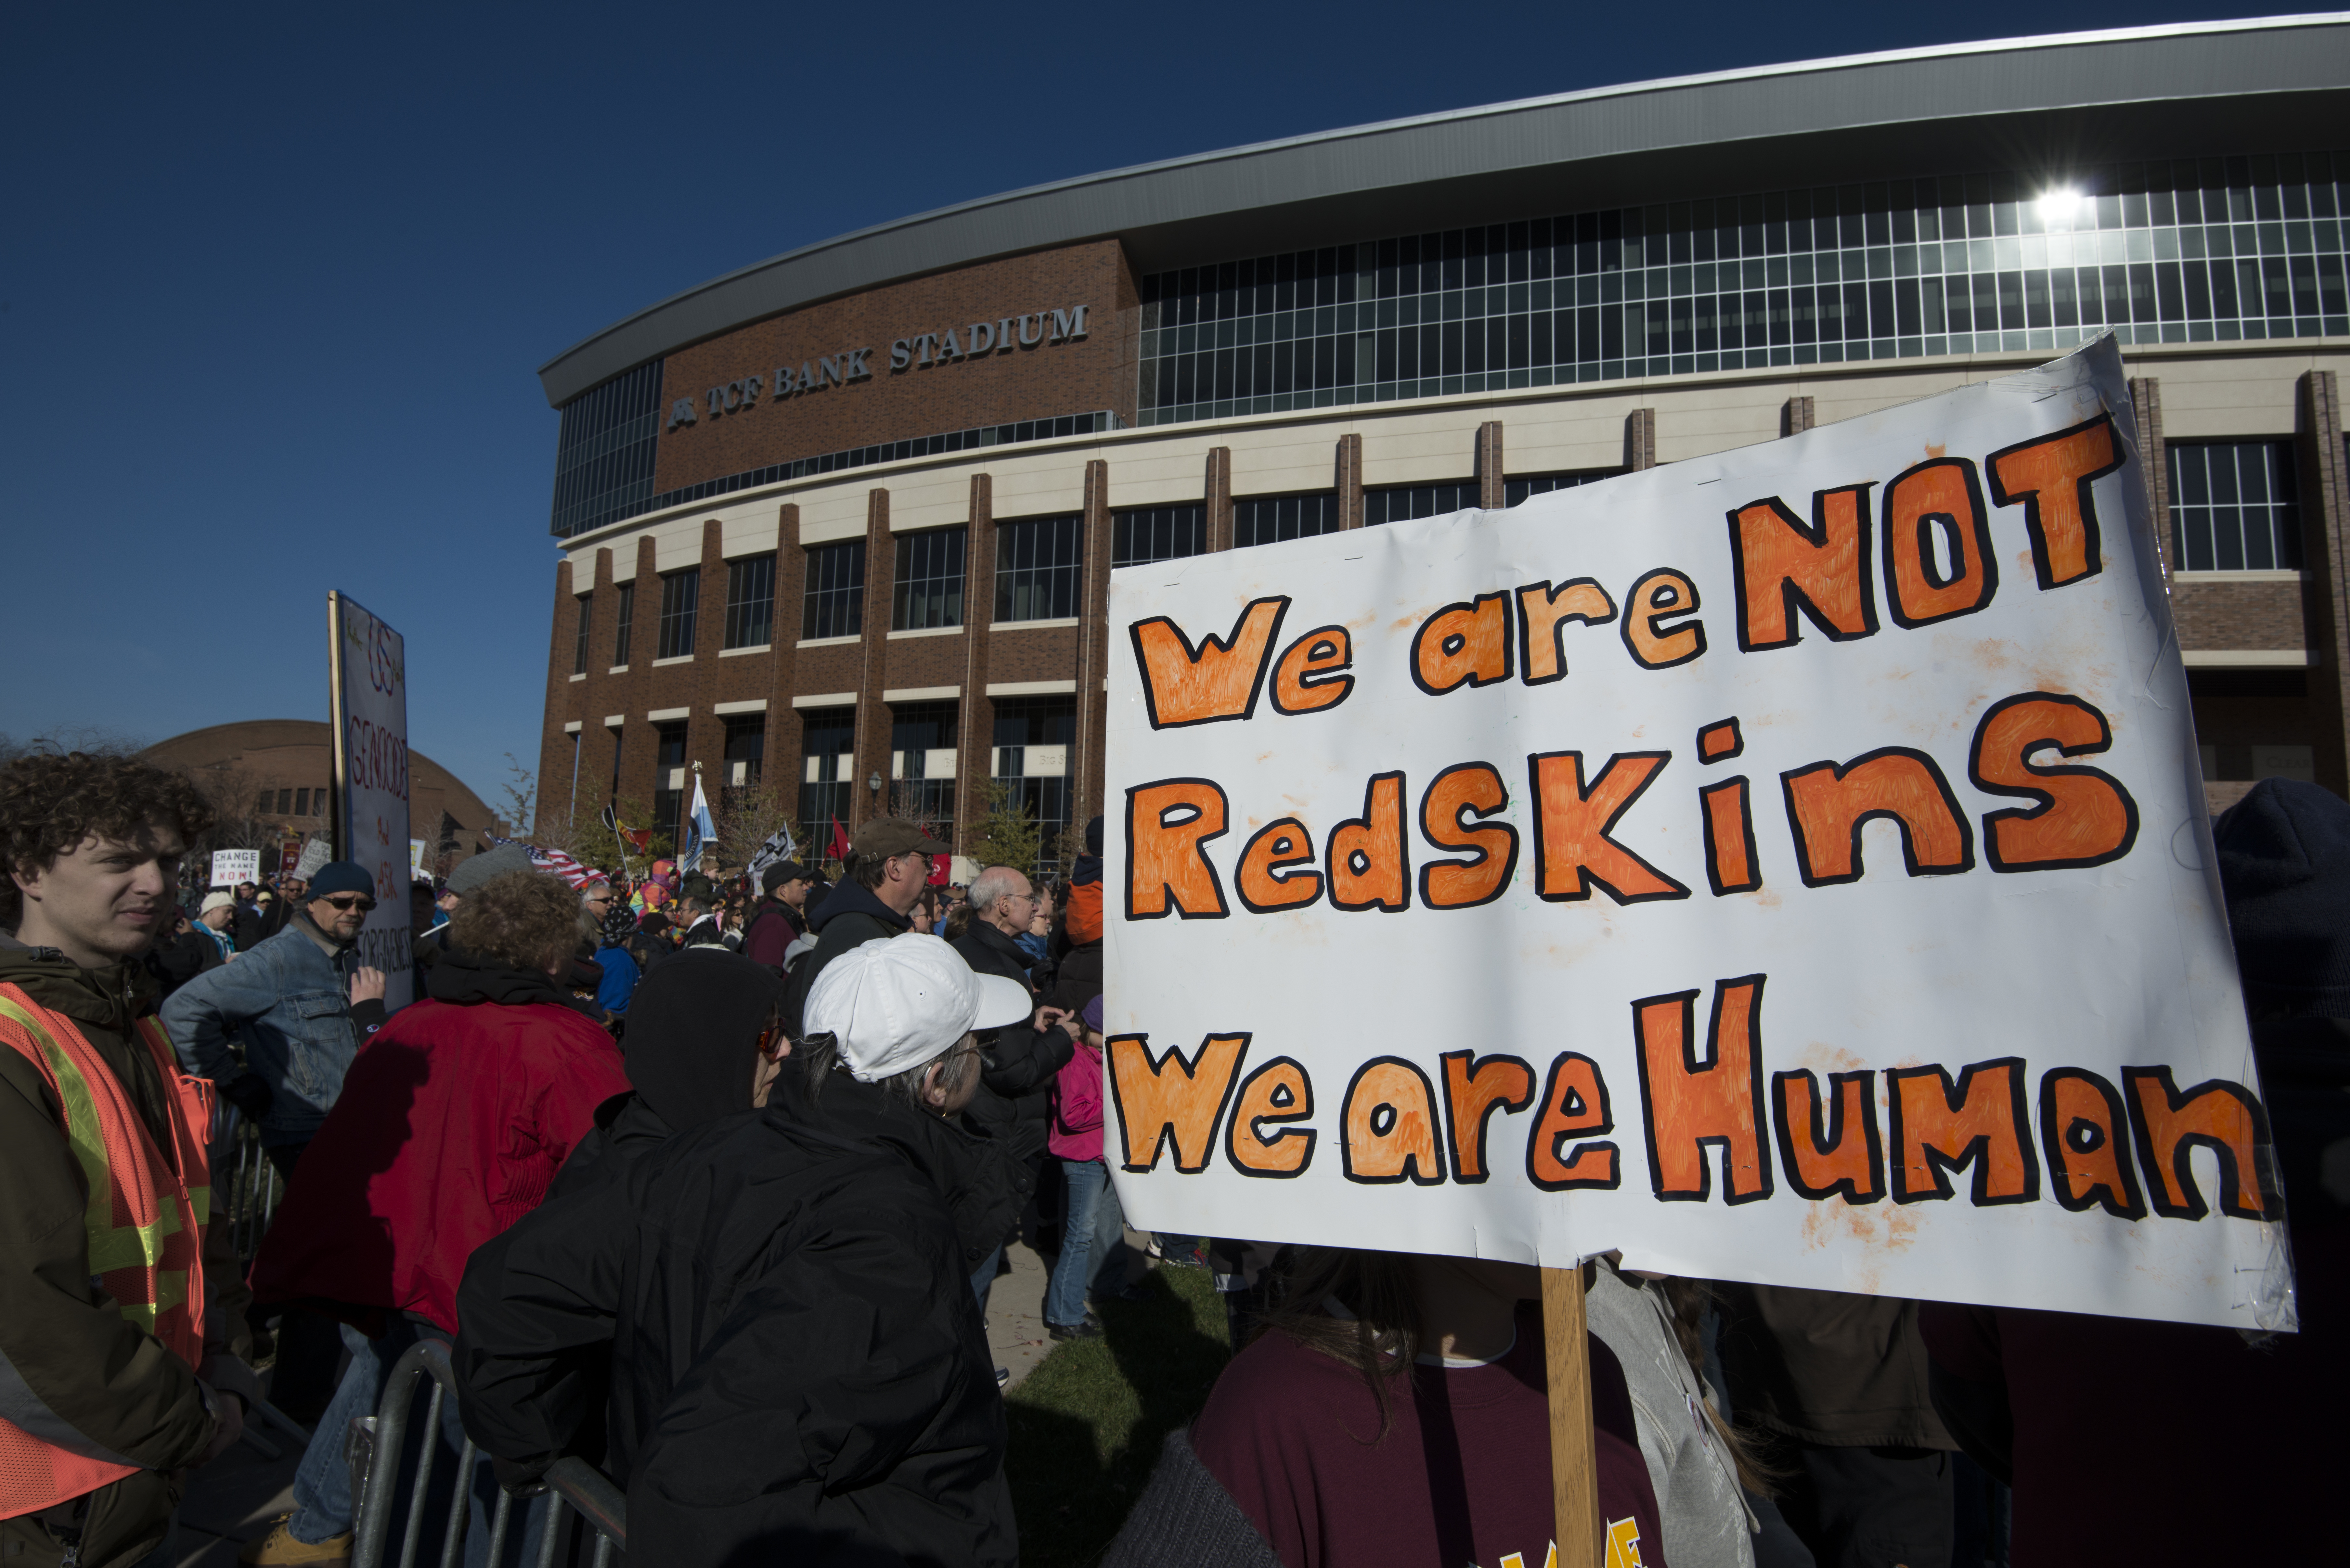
(706, 1181)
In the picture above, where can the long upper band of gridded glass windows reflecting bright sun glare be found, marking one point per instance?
(2168, 253)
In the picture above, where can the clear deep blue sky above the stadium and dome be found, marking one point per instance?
(274, 286)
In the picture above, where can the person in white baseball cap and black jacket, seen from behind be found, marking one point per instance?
(798, 1372)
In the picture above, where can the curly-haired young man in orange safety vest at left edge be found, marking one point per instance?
(116, 1372)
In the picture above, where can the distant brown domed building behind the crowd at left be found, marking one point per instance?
(283, 772)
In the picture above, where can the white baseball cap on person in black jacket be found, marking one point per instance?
(904, 1000)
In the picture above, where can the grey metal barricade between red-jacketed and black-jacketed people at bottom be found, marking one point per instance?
(380, 1442)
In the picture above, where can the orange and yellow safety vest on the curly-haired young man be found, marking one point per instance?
(147, 1219)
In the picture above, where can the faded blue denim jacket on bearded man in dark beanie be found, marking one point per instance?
(290, 1005)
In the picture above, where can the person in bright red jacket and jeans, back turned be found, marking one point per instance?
(452, 1125)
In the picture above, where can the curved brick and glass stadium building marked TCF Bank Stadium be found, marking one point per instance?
(852, 511)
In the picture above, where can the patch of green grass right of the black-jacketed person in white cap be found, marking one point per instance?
(1089, 1421)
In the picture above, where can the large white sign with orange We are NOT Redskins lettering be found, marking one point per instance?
(1780, 866)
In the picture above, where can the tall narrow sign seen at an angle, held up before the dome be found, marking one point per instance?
(372, 779)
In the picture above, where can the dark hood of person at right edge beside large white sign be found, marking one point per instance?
(2285, 866)
